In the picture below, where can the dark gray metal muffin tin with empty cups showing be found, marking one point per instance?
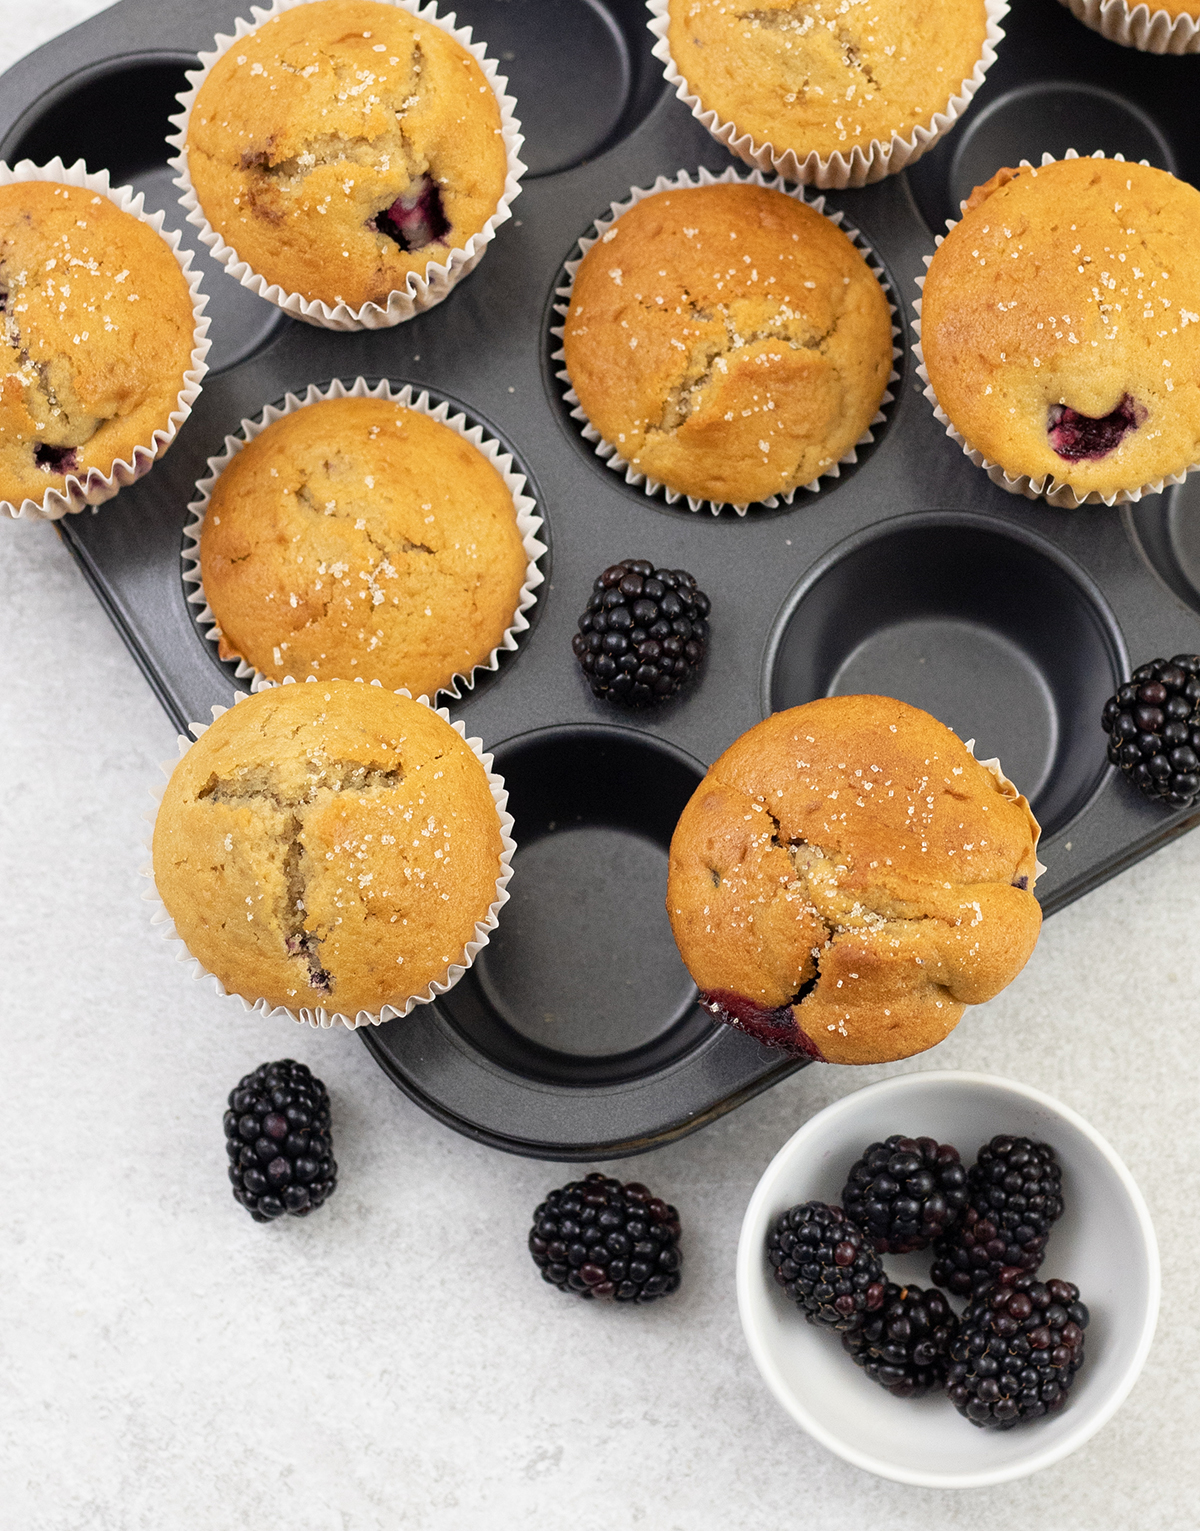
(578, 1036)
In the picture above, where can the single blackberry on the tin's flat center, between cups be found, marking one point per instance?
(644, 635)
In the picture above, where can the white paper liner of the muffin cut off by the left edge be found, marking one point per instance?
(96, 488)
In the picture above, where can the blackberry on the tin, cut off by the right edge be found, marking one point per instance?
(1153, 728)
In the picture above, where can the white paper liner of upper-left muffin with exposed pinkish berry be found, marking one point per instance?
(420, 293)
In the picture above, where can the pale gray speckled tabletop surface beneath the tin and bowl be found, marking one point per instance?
(396, 1362)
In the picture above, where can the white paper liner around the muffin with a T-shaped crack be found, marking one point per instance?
(165, 925)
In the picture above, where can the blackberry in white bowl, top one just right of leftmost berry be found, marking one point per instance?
(905, 1193)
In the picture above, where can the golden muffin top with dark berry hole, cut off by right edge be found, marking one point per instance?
(1061, 324)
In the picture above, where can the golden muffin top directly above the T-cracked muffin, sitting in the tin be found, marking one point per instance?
(362, 538)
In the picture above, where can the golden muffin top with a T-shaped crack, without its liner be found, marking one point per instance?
(328, 846)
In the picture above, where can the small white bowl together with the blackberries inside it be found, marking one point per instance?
(948, 1279)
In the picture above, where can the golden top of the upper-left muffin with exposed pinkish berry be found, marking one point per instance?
(345, 145)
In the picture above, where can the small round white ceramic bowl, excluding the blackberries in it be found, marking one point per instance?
(1104, 1242)
